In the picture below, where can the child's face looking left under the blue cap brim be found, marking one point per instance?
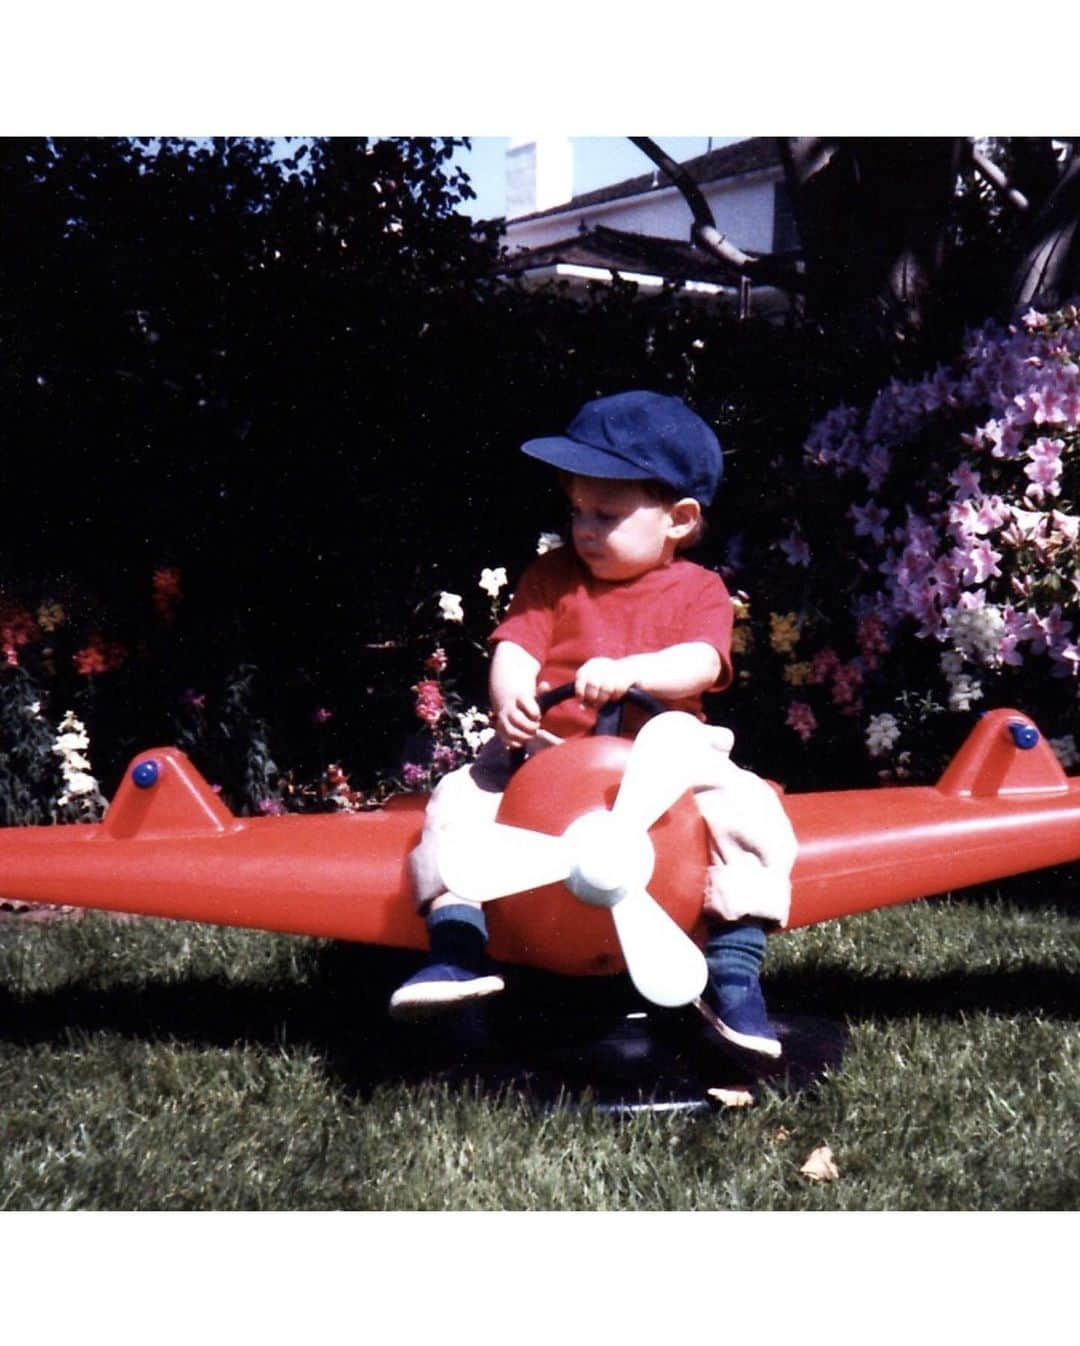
(620, 532)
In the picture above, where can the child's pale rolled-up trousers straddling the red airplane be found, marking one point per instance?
(752, 842)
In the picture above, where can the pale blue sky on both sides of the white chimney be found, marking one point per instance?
(599, 161)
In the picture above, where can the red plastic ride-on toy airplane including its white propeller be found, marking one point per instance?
(599, 857)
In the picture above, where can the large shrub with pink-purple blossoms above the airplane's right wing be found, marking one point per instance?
(942, 569)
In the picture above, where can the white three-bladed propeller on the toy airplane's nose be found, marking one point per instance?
(605, 858)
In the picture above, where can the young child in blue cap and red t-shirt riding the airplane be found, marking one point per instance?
(616, 610)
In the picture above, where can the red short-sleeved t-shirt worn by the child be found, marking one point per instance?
(562, 616)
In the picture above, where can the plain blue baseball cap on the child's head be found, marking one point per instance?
(638, 437)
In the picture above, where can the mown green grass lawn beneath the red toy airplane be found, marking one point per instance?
(161, 1067)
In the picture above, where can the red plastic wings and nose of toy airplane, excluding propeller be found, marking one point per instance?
(173, 850)
